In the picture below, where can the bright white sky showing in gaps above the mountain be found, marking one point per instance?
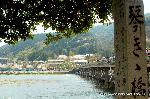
(40, 29)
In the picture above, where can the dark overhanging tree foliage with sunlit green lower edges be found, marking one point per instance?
(67, 17)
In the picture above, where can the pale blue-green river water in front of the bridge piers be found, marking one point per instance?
(64, 86)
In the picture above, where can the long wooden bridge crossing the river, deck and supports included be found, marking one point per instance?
(103, 73)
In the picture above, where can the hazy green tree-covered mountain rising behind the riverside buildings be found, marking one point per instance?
(98, 40)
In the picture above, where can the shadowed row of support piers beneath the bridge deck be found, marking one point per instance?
(102, 75)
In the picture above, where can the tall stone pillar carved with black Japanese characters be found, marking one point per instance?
(130, 45)
